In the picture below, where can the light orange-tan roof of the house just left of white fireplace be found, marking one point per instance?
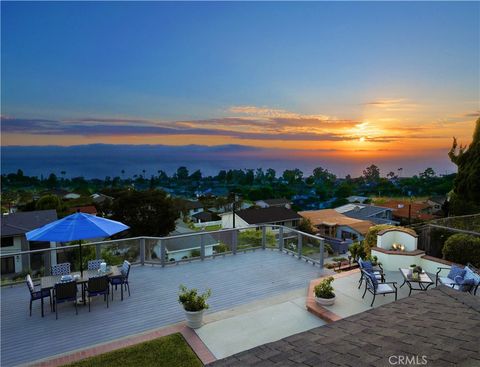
(331, 217)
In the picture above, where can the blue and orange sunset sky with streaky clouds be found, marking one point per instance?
(341, 80)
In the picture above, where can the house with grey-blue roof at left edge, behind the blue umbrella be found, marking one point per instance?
(14, 227)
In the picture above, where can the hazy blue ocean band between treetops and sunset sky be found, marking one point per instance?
(101, 160)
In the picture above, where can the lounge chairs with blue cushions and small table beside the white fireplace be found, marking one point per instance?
(466, 279)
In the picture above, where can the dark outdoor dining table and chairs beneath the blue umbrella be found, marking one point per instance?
(61, 285)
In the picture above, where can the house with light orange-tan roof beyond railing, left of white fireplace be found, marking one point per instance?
(330, 223)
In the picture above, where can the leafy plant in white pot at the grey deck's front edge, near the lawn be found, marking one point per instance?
(194, 305)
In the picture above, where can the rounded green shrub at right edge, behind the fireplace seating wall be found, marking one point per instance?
(462, 248)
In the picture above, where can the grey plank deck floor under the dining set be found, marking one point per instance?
(234, 280)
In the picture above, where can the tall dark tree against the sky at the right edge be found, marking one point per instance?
(465, 198)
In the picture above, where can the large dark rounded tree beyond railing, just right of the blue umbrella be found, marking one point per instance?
(148, 213)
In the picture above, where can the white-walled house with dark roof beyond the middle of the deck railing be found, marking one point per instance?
(253, 216)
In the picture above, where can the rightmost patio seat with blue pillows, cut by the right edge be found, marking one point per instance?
(469, 280)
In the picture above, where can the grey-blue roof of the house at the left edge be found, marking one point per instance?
(21, 222)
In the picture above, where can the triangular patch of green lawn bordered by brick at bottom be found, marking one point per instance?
(170, 350)
